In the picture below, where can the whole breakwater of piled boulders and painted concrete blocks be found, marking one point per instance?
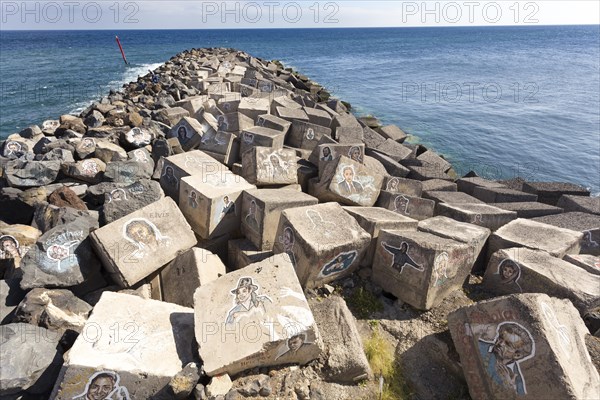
(182, 238)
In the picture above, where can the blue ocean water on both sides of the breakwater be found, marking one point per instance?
(503, 101)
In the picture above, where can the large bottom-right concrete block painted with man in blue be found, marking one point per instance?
(527, 346)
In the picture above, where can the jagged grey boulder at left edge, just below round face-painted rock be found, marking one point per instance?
(27, 174)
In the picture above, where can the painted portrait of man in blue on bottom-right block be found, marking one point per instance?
(502, 348)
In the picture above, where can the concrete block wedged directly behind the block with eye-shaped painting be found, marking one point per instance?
(261, 210)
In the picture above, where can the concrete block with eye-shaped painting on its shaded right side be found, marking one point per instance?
(323, 242)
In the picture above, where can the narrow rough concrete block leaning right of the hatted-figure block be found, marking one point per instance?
(344, 354)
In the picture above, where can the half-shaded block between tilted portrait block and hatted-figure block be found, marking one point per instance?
(187, 272)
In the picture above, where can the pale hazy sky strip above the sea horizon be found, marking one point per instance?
(191, 14)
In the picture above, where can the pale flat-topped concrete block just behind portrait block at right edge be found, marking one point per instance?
(536, 235)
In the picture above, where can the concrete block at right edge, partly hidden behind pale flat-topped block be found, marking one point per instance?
(588, 224)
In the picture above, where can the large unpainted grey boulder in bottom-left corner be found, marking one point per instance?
(31, 359)
